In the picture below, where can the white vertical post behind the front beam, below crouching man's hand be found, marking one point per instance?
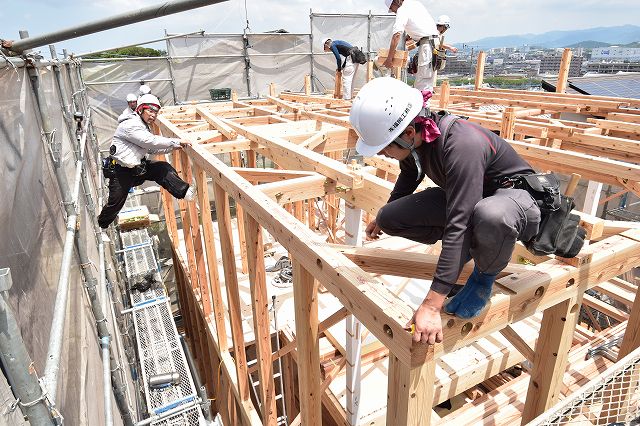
(353, 236)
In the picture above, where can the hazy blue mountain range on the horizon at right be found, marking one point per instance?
(592, 37)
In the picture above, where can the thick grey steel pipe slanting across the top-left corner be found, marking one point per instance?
(146, 13)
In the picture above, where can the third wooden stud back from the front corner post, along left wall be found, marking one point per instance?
(231, 284)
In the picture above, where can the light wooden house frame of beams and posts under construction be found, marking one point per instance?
(306, 136)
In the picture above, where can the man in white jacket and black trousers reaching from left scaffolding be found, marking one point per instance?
(127, 166)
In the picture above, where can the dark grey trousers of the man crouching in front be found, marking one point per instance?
(497, 223)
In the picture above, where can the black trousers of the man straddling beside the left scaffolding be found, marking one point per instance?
(161, 172)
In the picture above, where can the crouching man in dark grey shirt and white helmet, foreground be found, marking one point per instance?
(469, 211)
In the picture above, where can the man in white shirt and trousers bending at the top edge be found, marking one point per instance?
(414, 19)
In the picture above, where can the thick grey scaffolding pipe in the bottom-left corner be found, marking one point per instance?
(16, 362)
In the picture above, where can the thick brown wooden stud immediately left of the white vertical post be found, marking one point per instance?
(305, 294)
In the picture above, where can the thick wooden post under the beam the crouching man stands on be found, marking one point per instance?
(550, 360)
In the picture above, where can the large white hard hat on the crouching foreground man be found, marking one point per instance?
(383, 108)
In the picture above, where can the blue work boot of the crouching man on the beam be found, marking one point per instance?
(473, 297)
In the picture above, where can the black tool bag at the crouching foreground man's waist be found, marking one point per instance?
(560, 232)
